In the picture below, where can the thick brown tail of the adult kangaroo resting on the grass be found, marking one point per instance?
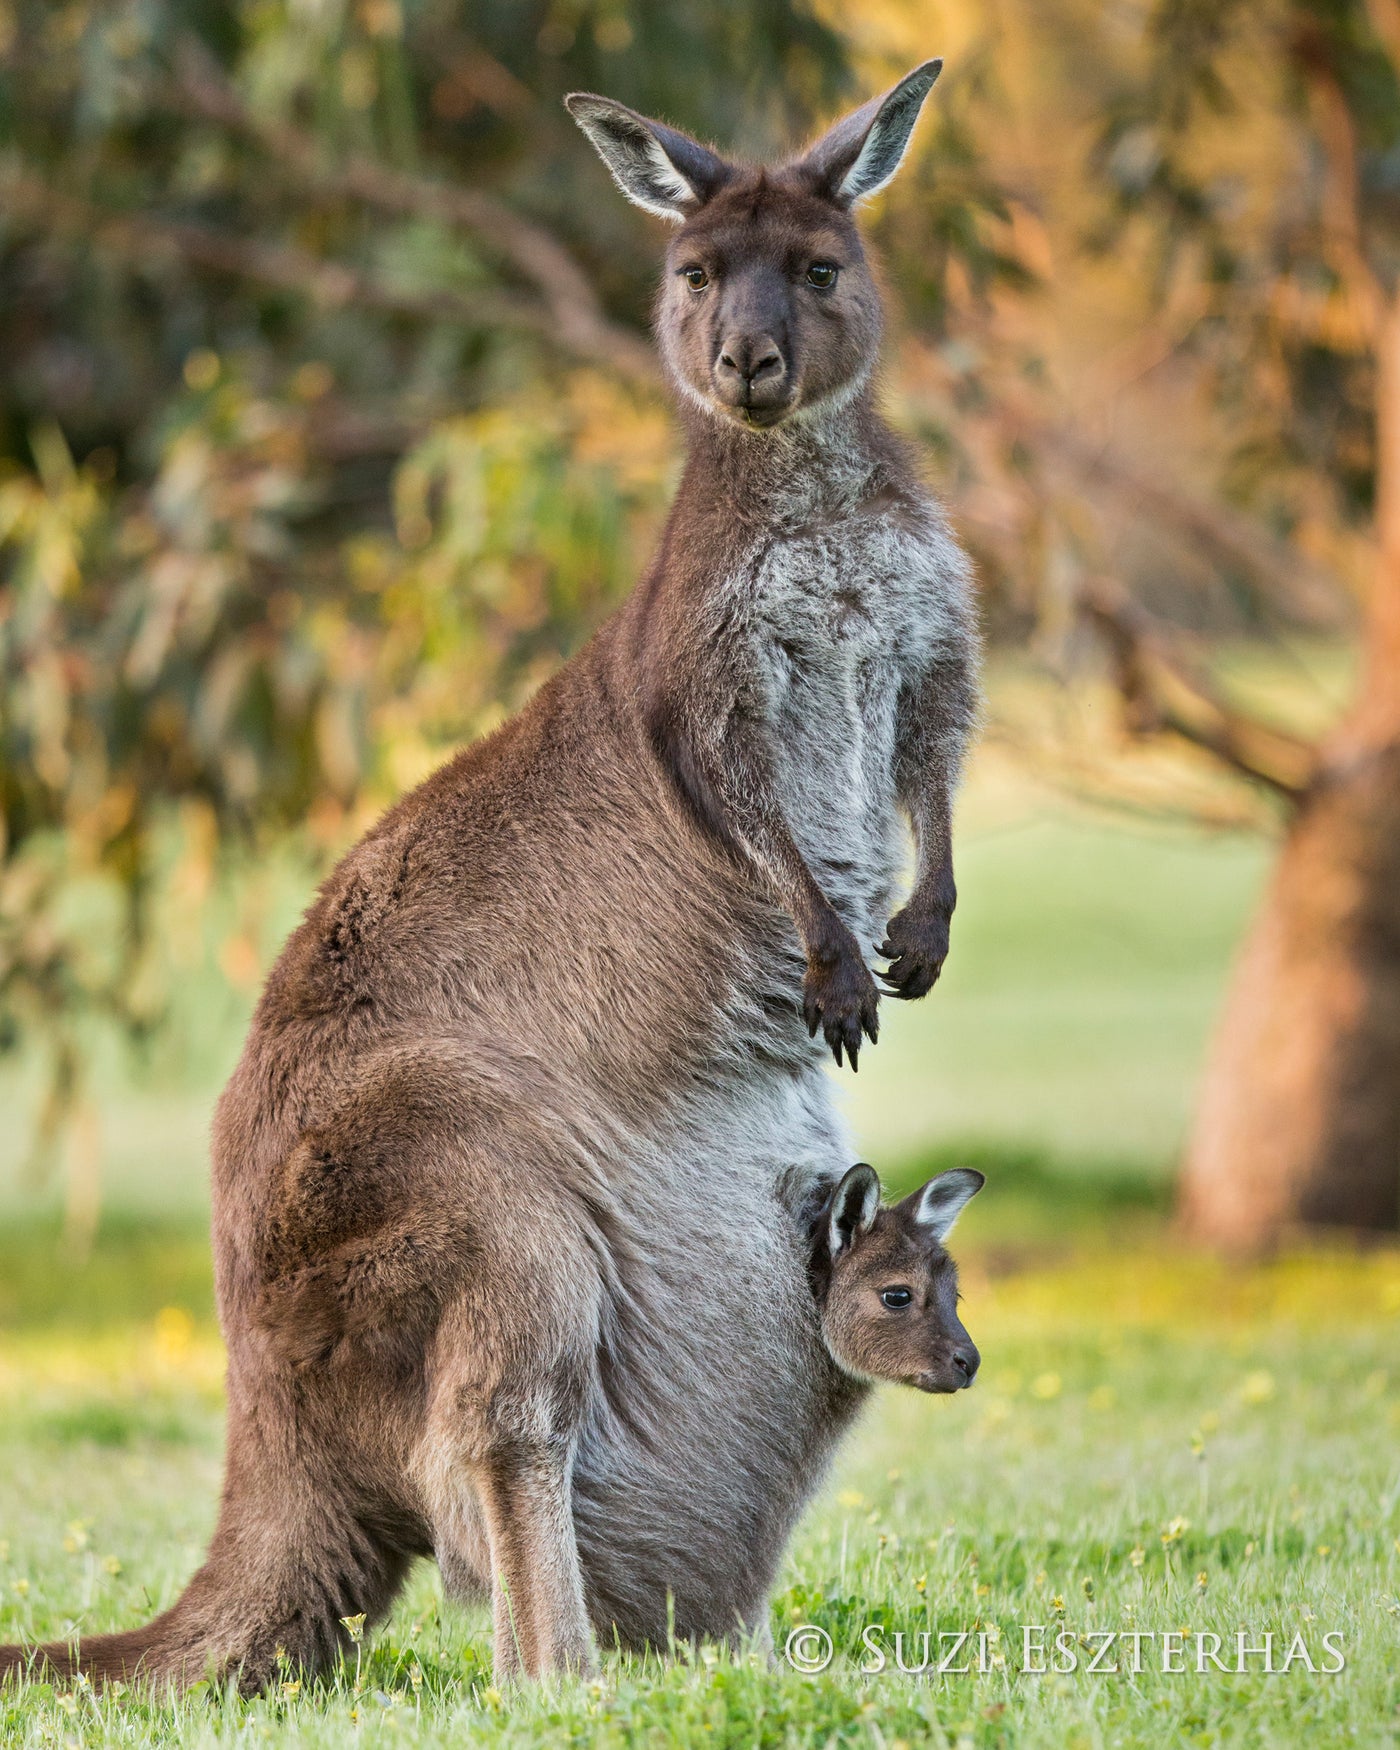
(267, 1599)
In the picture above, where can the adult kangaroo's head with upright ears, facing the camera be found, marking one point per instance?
(767, 307)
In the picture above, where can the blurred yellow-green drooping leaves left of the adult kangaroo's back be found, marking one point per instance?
(181, 643)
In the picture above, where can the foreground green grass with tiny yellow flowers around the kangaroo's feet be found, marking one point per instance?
(1158, 1443)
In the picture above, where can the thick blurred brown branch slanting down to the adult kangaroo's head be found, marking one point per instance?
(575, 314)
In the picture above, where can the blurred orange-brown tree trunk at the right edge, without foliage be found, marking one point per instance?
(1299, 1117)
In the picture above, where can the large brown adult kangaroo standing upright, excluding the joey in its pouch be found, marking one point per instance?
(507, 1180)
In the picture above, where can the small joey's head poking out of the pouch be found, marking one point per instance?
(888, 1289)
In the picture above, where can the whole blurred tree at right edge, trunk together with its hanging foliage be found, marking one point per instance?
(1299, 323)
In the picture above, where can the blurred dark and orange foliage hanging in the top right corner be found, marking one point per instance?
(1263, 150)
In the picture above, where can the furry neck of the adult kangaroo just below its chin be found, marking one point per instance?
(808, 468)
